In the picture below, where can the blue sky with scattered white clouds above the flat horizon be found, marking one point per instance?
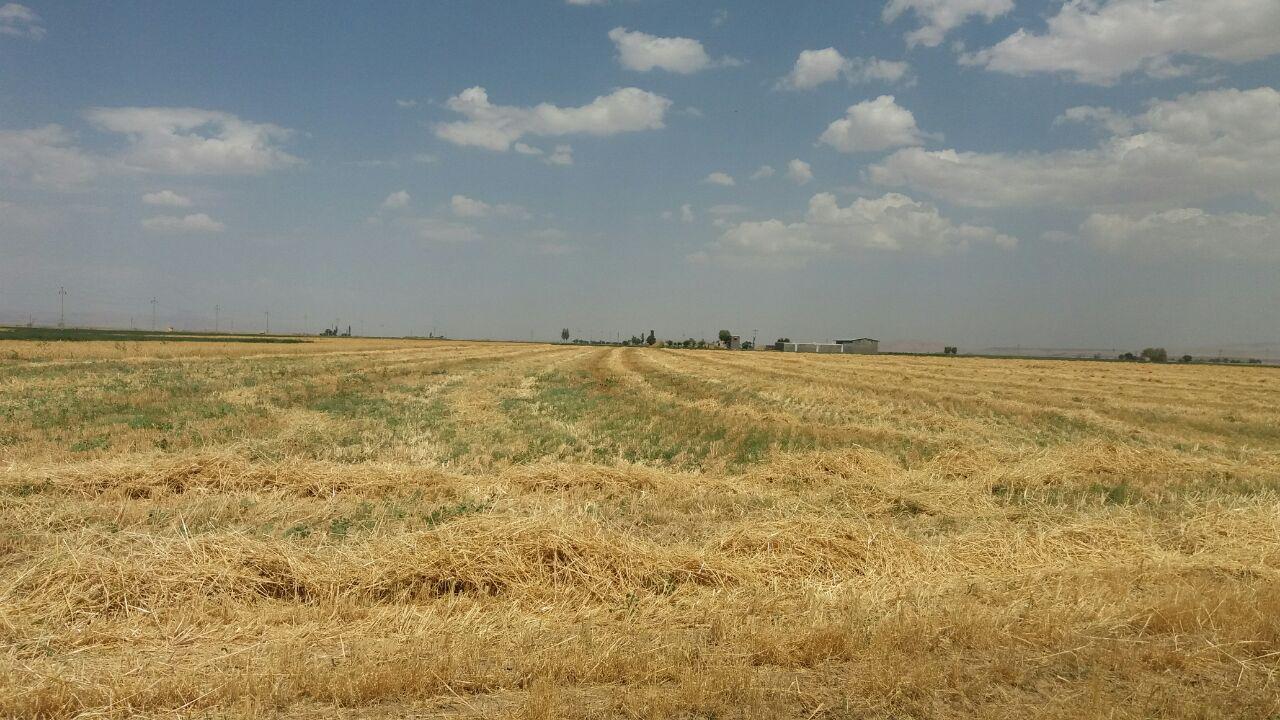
(1080, 174)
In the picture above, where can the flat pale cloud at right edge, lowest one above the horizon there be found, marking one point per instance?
(1187, 233)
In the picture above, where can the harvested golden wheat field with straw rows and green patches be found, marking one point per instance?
(388, 530)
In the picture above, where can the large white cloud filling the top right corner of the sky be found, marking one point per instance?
(1099, 42)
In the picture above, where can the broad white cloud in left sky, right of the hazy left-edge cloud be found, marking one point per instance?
(191, 142)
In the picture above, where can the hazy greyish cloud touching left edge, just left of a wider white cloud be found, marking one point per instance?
(45, 157)
